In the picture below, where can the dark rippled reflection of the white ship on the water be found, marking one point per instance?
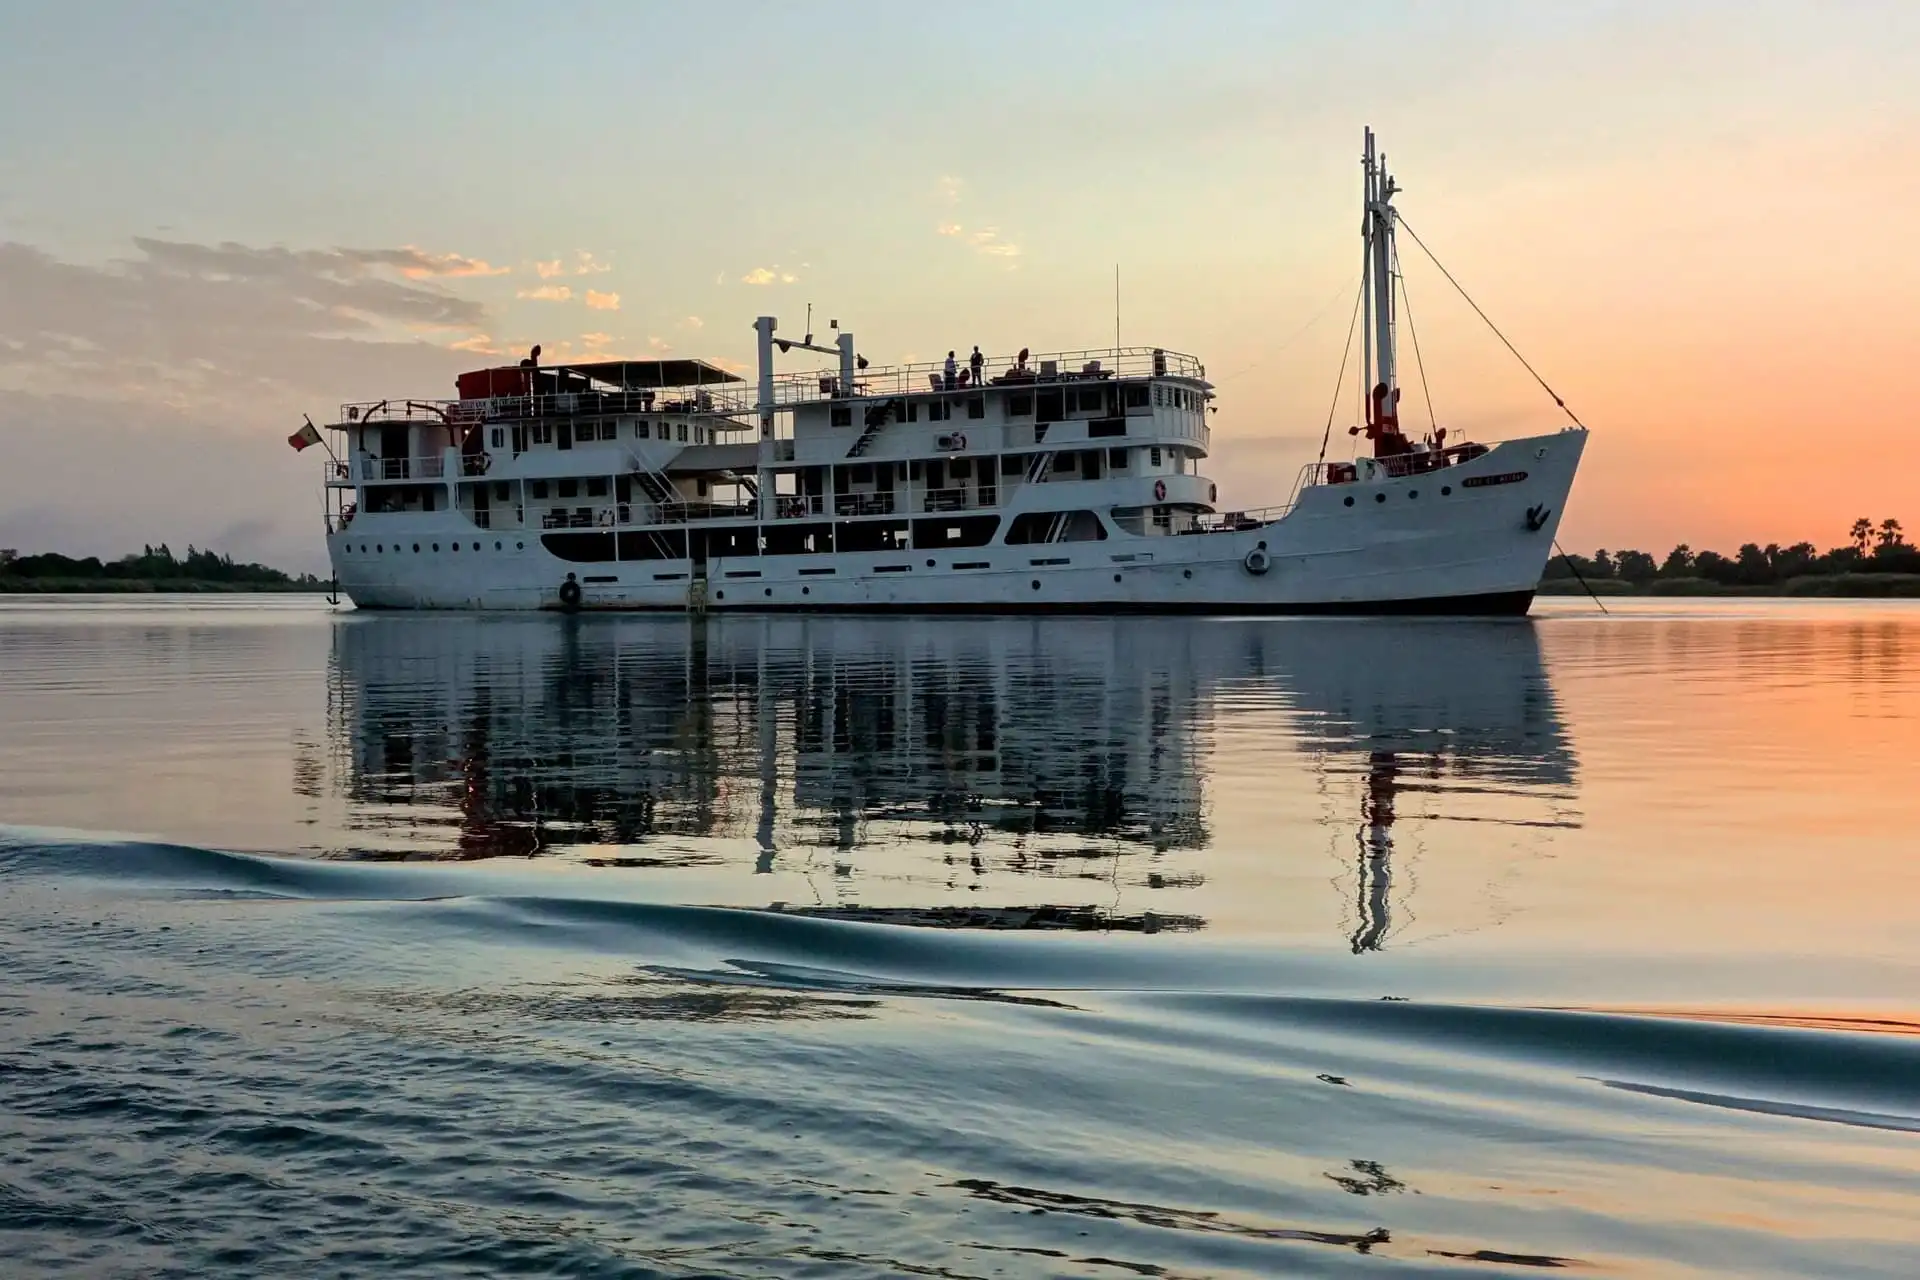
(986, 774)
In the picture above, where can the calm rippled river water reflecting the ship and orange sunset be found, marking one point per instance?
(613, 947)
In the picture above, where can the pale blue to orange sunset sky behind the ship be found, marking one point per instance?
(1694, 220)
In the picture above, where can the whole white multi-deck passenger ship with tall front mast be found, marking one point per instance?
(1030, 485)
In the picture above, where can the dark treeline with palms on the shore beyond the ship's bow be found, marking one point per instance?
(1873, 550)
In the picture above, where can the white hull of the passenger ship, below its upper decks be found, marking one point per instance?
(1472, 538)
